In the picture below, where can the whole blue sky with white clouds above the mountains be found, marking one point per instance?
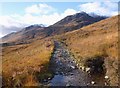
(16, 15)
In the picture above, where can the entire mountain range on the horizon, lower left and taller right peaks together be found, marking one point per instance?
(69, 23)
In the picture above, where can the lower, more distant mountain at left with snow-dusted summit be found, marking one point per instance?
(26, 33)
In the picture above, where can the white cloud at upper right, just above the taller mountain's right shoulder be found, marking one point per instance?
(101, 8)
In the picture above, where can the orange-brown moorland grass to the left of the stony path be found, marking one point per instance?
(22, 64)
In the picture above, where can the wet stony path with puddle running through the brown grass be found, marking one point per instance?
(65, 69)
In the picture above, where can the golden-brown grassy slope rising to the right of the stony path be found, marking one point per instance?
(96, 40)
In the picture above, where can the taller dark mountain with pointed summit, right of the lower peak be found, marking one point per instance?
(73, 22)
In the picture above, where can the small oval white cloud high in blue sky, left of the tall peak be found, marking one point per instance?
(39, 9)
